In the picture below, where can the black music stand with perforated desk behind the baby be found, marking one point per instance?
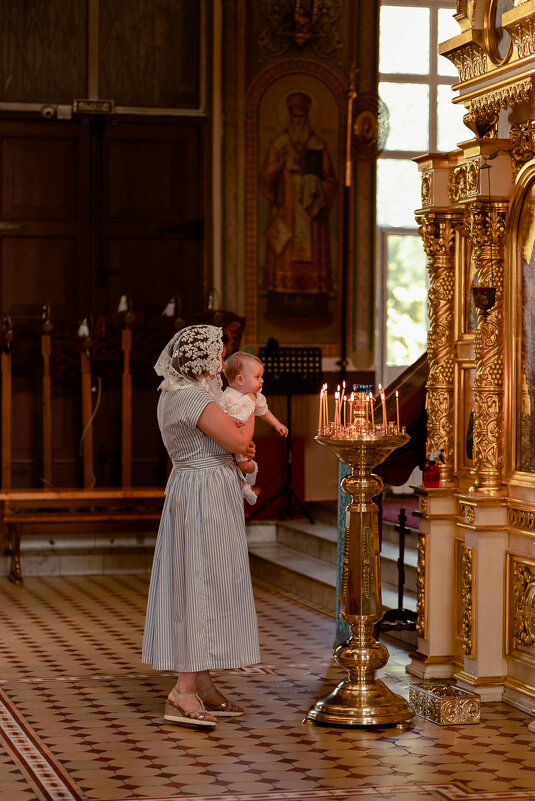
(290, 371)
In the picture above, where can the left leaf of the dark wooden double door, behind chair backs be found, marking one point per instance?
(45, 257)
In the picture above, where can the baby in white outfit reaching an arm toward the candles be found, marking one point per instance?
(243, 397)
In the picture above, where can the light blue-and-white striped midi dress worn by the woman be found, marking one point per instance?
(200, 609)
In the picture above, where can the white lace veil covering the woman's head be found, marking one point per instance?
(193, 355)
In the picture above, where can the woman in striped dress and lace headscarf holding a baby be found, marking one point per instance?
(200, 611)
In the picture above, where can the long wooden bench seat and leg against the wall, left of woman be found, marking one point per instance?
(20, 507)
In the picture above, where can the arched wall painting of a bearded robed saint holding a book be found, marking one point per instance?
(294, 206)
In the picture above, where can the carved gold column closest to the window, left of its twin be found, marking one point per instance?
(437, 229)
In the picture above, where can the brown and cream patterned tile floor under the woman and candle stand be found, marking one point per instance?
(81, 717)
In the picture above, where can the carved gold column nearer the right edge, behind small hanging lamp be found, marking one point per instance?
(486, 222)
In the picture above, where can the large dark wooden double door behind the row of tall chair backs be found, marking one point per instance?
(92, 209)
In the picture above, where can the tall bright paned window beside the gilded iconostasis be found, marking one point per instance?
(415, 83)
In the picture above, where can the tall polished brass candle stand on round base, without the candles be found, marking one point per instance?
(361, 699)
